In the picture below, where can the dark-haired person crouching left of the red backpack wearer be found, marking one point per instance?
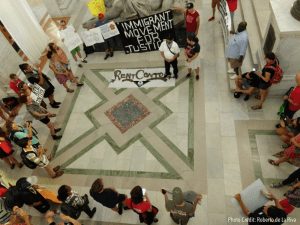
(246, 84)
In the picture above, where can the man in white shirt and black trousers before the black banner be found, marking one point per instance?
(169, 50)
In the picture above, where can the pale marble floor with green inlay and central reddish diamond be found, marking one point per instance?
(194, 135)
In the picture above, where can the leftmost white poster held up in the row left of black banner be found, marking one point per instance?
(70, 38)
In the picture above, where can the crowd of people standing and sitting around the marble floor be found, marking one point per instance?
(66, 205)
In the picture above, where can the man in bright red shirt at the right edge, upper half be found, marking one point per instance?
(293, 99)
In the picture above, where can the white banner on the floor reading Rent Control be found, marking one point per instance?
(139, 78)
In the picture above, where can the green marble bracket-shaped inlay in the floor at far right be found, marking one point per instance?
(255, 154)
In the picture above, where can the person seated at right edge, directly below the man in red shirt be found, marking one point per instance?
(288, 129)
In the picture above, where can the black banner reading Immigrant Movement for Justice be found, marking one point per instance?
(146, 34)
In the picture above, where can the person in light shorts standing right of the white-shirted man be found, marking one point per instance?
(192, 50)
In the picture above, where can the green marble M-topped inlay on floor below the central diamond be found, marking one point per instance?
(172, 174)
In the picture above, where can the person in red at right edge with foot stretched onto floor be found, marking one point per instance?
(290, 153)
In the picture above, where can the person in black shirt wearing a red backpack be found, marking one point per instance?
(265, 78)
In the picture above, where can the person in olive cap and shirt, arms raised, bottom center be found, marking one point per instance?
(180, 210)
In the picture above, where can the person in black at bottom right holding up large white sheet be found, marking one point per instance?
(266, 215)
